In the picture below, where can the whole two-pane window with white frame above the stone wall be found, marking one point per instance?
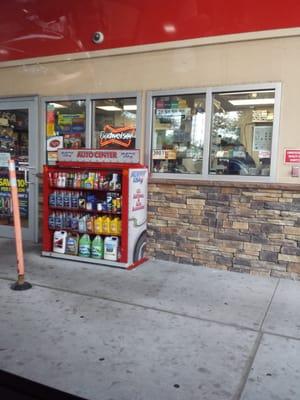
(231, 132)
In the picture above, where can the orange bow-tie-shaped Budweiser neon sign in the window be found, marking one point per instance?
(120, 136)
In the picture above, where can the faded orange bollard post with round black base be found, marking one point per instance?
(20, 284)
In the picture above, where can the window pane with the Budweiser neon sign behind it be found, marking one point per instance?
(114, 123)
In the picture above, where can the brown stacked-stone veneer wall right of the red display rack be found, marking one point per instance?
(242, 227)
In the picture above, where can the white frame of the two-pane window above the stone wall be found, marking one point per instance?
(208, 92)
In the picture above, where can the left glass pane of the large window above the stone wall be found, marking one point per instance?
(178, 127)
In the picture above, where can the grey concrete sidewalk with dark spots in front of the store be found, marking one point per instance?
(162, 331)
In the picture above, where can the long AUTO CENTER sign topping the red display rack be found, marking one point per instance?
(99, 156)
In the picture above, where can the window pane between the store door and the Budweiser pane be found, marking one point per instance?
(65, 126)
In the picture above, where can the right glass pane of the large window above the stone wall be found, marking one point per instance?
(241, 133)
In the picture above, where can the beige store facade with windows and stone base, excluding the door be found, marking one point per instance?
(213, 122)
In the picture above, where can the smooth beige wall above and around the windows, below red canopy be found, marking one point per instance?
(257, 61)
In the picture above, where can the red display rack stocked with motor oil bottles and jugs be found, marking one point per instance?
(79, 195)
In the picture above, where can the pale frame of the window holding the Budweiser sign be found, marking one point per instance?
(89, 98)
